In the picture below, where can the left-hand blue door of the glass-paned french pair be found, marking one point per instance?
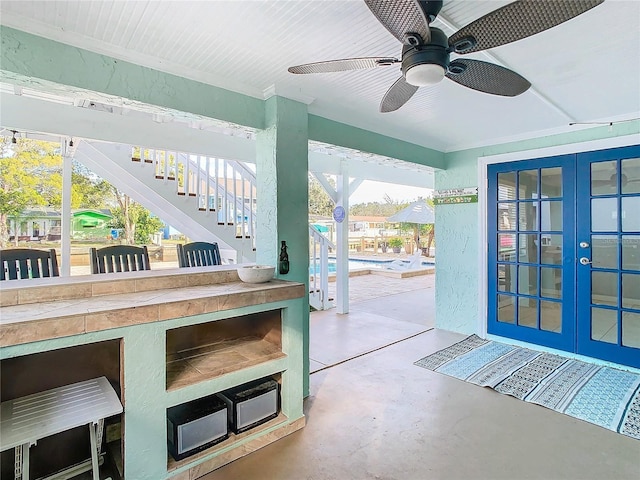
(531, 251)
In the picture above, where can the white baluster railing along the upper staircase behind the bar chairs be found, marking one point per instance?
(224, 187)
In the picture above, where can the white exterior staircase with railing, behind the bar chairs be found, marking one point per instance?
(205, 198)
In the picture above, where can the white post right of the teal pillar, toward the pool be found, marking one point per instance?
(342, 245)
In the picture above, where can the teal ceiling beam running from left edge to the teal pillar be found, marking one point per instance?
(30, 56)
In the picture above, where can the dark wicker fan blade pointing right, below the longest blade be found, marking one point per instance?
(487, 77)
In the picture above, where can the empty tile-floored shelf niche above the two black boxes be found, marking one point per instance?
(197, 353)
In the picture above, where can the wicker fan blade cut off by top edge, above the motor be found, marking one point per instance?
(400, 17)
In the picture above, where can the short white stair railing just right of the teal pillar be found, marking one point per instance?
(319, 270)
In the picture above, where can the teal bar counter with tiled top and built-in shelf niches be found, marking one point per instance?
(162, 338)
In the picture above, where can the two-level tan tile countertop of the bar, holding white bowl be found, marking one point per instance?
(40, 309)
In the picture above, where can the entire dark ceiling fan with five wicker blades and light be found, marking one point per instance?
(426, 50)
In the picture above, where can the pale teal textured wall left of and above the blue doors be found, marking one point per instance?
(457, 226)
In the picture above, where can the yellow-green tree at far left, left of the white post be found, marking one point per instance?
(30, 176)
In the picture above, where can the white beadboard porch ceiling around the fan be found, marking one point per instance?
(585, 70)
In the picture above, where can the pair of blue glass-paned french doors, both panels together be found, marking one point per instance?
(564, 253)
